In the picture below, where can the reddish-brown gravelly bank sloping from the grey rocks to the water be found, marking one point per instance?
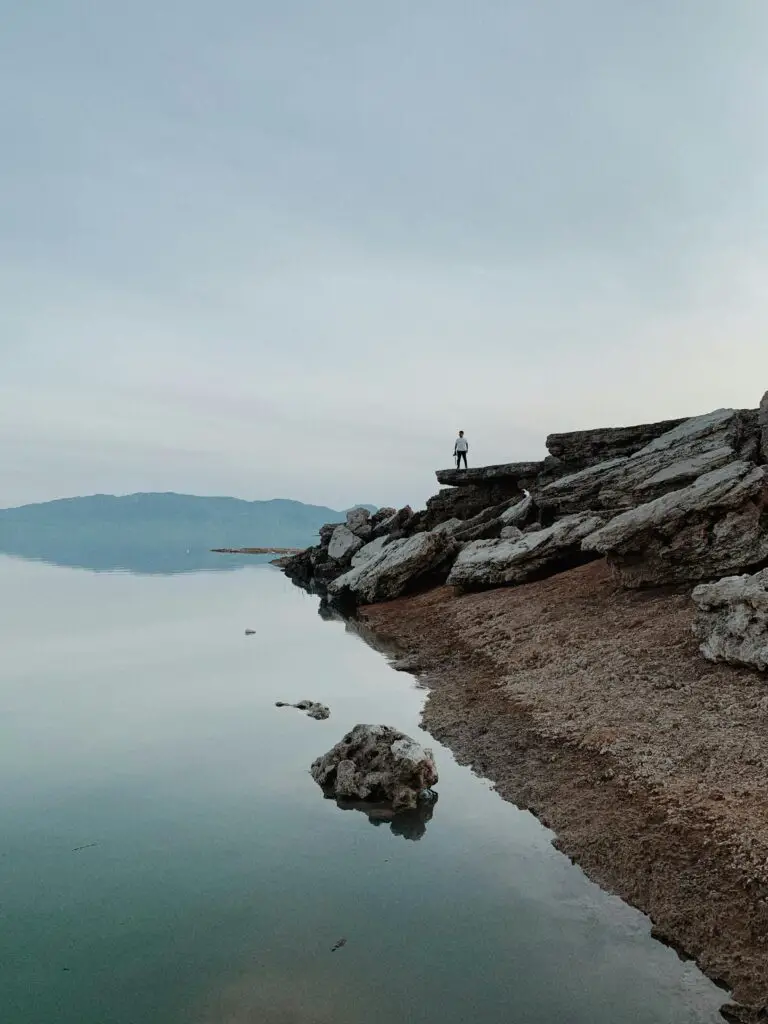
(592, 707)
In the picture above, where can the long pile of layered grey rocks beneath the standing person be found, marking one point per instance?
(667, 502)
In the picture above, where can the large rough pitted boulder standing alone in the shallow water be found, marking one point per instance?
(379, 764)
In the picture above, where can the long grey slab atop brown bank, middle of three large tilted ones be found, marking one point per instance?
(505, 563)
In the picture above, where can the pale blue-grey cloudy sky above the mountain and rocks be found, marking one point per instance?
(283, 248)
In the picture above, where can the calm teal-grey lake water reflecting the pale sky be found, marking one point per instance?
(166, 859)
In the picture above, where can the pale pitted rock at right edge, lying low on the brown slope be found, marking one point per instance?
(733, 620)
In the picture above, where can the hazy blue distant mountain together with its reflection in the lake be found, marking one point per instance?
(139, 532)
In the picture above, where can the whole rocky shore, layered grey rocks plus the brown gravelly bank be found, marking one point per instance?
(589, 648)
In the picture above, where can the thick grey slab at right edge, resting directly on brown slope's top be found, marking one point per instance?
(713, 528)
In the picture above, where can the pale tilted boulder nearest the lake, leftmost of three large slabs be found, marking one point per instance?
(397, 569)
